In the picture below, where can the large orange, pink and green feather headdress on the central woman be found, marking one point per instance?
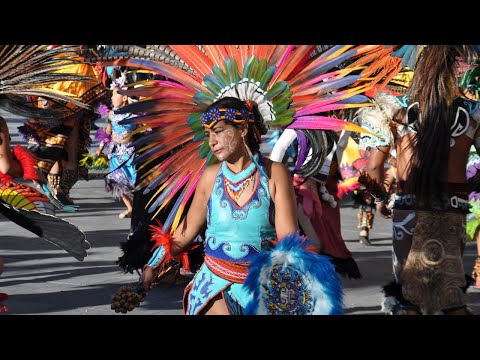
(293, 86)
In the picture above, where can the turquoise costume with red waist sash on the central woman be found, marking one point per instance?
(234, 236)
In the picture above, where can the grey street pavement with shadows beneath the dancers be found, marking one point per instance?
(42, 279)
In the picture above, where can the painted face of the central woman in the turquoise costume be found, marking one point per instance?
(223, 139)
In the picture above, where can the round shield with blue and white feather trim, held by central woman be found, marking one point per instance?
(317, 285)
